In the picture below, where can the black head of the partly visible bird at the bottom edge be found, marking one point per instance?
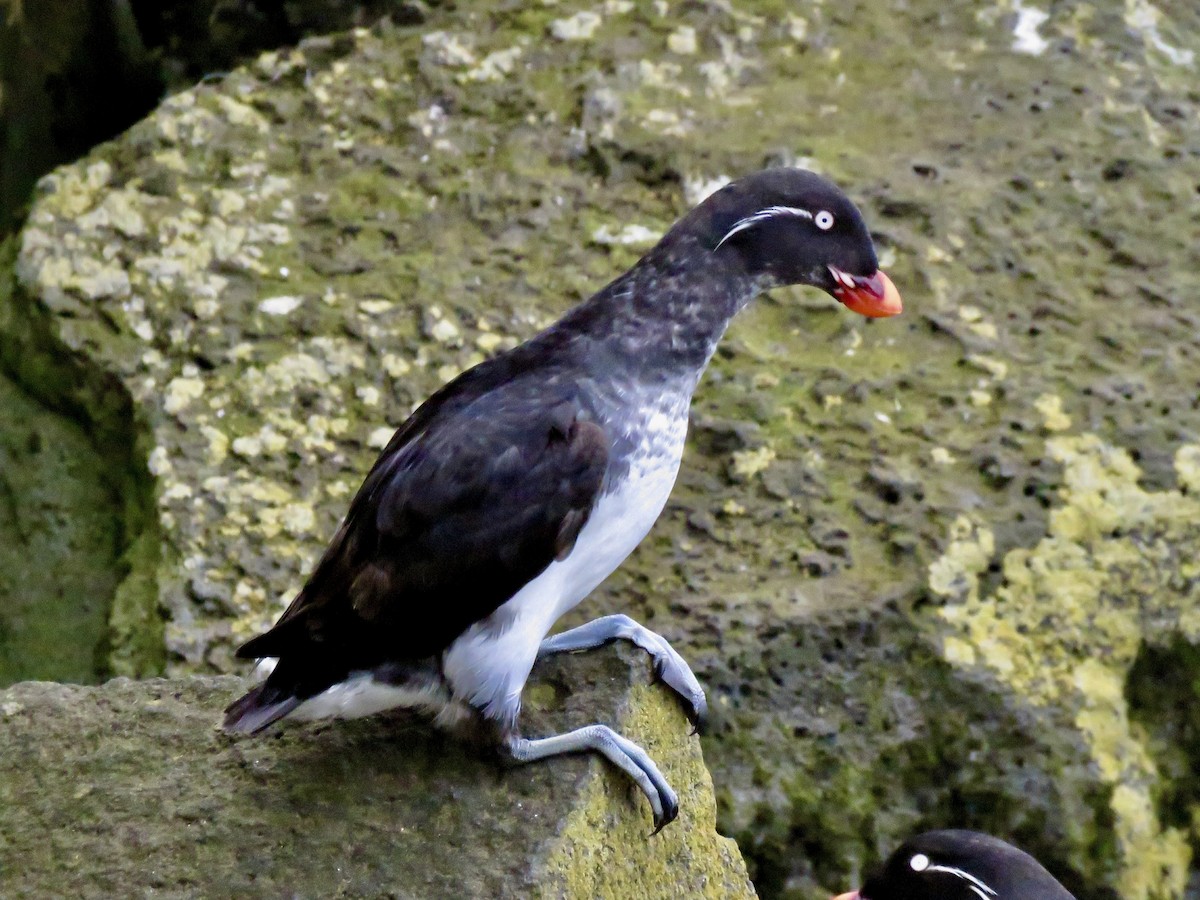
(956, 865)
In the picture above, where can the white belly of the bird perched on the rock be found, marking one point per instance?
(488, 667)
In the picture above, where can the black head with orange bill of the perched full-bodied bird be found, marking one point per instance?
(790, 226)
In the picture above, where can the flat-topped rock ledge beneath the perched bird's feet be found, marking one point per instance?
(130, 789)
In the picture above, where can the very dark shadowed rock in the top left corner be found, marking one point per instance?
(79, 73)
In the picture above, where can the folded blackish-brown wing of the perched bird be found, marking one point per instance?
(466, 506)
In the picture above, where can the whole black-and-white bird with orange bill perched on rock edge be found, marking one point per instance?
(511, 494)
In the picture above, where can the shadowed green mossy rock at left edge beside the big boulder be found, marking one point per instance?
(77, 493)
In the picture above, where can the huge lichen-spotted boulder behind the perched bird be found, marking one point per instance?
(937, 571)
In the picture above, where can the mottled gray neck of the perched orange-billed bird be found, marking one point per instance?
(663, 320)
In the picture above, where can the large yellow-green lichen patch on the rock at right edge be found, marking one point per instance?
(1065, 628)
